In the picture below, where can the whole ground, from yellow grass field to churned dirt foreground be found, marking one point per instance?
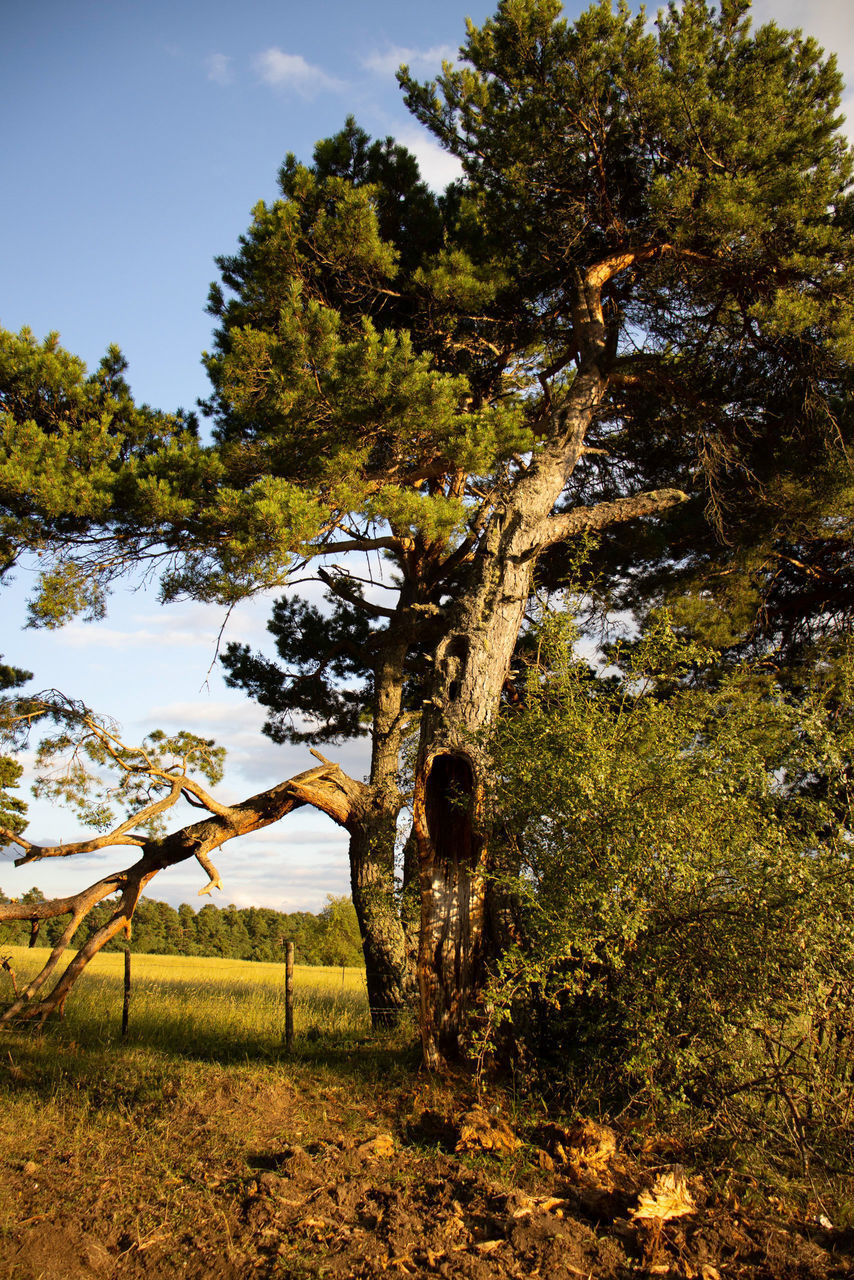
(199, 1149)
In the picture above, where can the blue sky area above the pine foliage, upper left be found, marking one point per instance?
(144, 134)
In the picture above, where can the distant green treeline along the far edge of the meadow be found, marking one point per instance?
(236, 932)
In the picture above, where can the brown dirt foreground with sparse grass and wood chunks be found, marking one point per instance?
(139, 1167)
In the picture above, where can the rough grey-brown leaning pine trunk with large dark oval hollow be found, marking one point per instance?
(472, 664)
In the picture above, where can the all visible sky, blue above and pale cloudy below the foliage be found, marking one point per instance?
(139, 135)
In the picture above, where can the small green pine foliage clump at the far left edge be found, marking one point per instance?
(75, 458)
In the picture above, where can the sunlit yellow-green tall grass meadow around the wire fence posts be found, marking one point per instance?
(204, 1008)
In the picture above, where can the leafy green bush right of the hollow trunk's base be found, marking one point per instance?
(679, 852)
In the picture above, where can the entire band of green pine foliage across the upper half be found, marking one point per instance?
(387, 362)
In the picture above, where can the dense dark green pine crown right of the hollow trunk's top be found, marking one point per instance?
(714, 149)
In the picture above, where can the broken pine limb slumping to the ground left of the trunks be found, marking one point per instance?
(148, 781)
